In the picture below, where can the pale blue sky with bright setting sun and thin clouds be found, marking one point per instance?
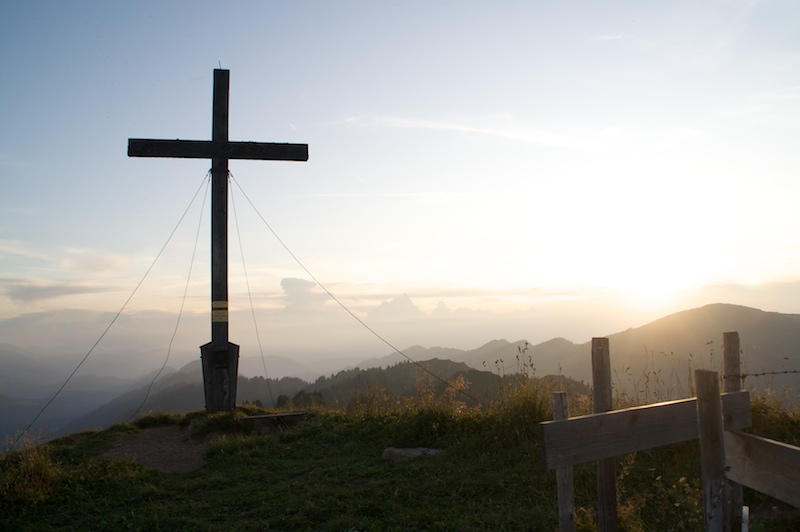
(477, 170)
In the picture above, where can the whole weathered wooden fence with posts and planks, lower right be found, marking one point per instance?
(730, 459)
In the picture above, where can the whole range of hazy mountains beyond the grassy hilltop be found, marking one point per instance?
(654, 361)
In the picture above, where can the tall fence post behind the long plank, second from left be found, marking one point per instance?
(606, 468)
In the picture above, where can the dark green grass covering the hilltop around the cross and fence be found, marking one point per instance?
(327, 473)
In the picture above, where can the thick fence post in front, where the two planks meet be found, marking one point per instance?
(712, 450)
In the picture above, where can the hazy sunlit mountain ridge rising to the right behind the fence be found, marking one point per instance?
(666, 350)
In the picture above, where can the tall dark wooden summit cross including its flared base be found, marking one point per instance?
(220, 357)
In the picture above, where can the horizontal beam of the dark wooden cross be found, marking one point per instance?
(207, 149)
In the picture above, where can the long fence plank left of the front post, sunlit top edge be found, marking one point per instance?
(588, 438)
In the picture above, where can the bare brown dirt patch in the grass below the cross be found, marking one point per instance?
(169, 449)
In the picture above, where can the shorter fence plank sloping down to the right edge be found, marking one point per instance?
(764, 465)
